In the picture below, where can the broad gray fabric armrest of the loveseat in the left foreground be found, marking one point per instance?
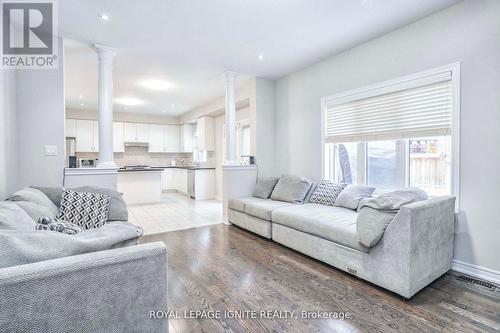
(105, 291)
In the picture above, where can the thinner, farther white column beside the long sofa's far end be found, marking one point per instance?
(230, 147)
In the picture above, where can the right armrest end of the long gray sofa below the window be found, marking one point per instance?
(421, 238)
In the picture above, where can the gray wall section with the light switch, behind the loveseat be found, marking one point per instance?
(40, 122)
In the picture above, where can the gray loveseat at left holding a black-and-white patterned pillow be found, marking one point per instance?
(97, 280)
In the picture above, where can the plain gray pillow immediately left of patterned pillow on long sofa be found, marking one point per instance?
(291, 189)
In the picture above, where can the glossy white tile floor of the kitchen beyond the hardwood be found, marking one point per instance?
(175, 212)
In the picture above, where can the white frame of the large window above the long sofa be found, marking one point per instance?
(380, 89)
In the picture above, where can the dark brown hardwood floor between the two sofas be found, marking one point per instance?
(220, 267)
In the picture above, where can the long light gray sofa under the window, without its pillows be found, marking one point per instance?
(415, 249)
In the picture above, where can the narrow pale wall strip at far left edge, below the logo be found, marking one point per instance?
(8, 142)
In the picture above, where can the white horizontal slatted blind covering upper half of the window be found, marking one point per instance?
(422, 107)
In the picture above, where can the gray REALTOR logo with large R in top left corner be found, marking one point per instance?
(29, 39)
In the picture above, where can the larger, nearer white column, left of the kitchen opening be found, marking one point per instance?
(105, 55)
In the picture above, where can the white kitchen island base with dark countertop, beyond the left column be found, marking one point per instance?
(140, 185)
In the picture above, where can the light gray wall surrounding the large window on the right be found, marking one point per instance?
(468, 32)
